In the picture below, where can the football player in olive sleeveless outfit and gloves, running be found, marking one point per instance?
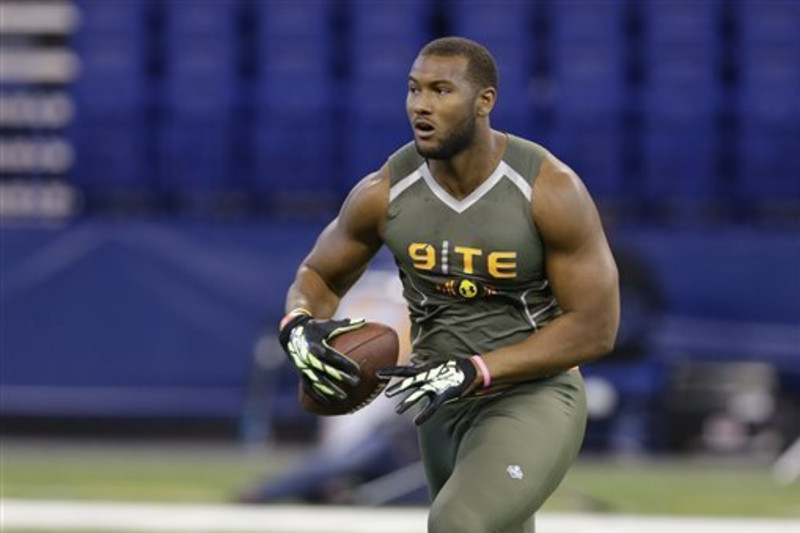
(510, 285)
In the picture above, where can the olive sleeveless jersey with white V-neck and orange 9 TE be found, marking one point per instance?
(473, 269)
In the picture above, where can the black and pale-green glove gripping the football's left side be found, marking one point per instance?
(322, 369)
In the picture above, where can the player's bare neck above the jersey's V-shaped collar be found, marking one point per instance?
(465, 172)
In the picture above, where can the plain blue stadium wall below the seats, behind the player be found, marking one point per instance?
(143, 319)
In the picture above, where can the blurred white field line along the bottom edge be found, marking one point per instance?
(221, 518)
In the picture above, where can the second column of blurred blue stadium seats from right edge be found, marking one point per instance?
(681, 104)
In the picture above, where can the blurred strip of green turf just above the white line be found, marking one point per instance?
(200, 473)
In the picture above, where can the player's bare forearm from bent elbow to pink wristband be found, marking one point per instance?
(569, 340)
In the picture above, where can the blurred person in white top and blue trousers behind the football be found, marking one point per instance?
(354, 450)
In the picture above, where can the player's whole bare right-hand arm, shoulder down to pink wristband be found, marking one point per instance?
(582, 275)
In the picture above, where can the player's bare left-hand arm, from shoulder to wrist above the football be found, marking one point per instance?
(343, 249)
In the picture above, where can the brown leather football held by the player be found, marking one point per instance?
(372, 346)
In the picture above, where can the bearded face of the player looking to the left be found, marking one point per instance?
(441, 106)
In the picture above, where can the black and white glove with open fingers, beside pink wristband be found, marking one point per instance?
(438, 382)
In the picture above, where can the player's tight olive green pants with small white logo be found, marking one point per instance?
(492, 462)
